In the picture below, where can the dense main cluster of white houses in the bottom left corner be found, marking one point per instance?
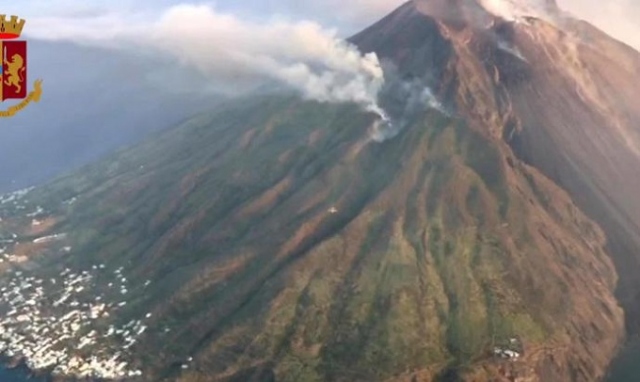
(59, 324)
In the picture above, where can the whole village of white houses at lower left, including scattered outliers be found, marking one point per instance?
(63, 325)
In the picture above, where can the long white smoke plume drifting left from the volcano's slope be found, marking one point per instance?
(241, 54)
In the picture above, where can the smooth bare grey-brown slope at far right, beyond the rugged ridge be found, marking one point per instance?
(591, 138)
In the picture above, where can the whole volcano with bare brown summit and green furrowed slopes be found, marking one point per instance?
(494, 236)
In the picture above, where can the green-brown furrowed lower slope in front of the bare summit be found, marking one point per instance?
(439, 250)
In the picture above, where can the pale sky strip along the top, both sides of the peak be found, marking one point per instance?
(619, 18)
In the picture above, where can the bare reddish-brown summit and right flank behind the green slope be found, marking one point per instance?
(560, 92)
